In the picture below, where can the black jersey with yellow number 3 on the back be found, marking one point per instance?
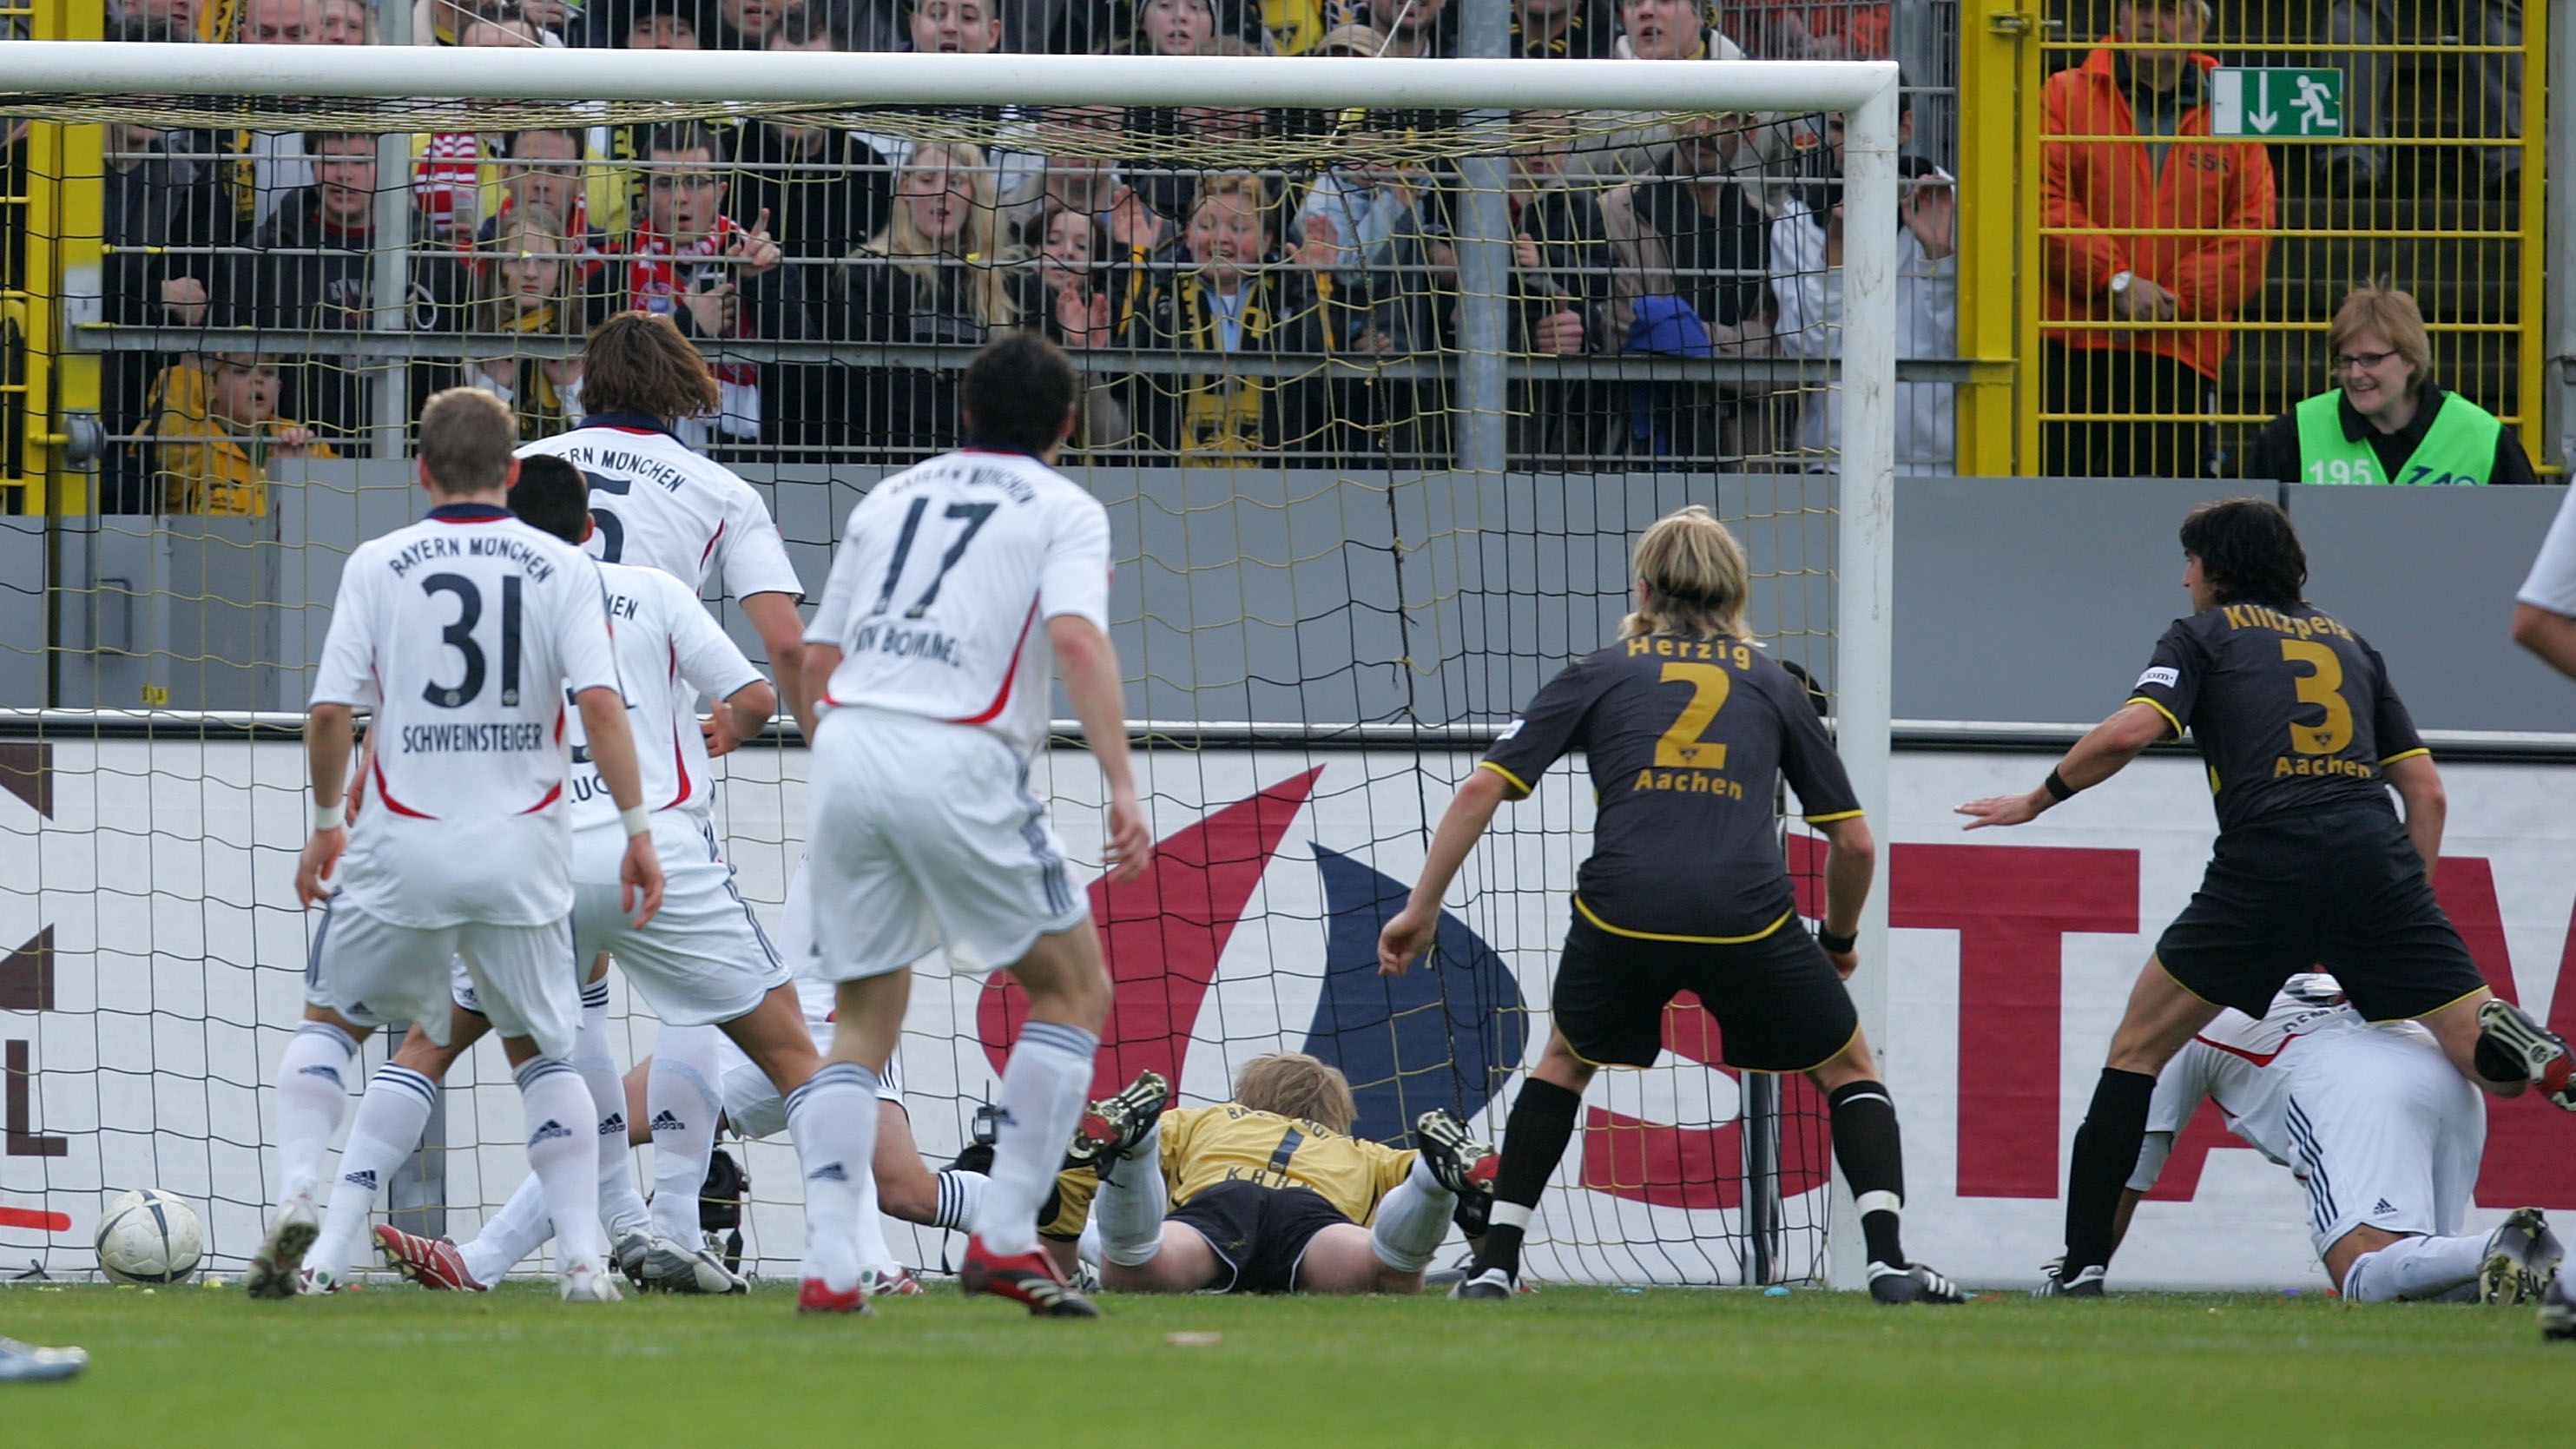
(2291, 712)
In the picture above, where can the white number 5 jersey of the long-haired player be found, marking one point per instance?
(666, 508)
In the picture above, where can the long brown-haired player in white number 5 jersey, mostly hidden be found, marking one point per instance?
(663, 506)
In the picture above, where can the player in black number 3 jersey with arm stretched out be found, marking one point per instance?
(2304, 737)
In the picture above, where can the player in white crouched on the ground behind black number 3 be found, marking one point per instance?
(2379, 1129)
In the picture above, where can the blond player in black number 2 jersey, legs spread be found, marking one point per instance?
(1689, 730)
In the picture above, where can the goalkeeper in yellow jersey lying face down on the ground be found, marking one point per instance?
(1266, 1193)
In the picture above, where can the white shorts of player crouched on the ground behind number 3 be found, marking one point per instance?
(2387, 1136)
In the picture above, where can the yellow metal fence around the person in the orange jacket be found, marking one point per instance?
(2438, 220)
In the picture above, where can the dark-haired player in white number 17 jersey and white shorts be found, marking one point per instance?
(957, 591)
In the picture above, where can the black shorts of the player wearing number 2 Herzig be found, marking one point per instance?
(1776, 1000)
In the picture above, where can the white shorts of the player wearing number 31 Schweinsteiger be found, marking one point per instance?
(527, 979)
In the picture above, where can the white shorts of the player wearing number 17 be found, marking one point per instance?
(926, 835)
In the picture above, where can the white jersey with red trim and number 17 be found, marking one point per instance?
(944, 586)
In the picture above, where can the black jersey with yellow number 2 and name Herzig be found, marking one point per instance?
(1686, 740)
